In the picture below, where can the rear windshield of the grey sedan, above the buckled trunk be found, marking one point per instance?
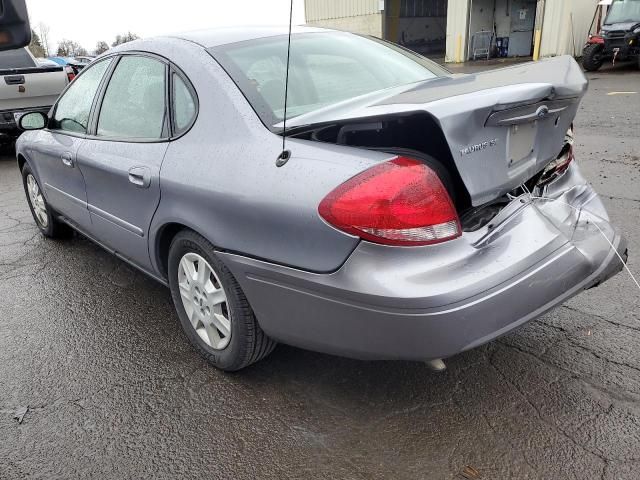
(326, 68)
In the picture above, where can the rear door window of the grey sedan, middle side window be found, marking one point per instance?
(134, 104)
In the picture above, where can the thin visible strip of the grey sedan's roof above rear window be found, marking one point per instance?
(225, 35)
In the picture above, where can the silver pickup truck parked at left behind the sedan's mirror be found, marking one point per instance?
(25, 86)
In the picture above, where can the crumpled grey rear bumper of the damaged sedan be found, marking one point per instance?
(435, 301)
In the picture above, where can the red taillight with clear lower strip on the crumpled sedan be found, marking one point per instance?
(400, 202)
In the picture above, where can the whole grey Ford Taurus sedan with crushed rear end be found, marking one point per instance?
(412, 214)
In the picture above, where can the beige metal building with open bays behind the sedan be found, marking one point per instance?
(455, 29)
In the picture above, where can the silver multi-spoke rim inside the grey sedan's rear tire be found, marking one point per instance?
(204, 301)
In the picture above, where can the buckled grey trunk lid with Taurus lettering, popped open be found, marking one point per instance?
(502, 126)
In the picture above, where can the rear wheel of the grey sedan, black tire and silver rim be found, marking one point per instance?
(226, 334)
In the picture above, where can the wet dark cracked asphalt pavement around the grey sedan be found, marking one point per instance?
(113, 390)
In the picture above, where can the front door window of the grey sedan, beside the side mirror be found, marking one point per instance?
(73, 109)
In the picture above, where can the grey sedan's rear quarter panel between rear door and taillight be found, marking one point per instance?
(237, 197)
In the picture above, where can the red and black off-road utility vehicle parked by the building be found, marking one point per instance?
(619, 37)
